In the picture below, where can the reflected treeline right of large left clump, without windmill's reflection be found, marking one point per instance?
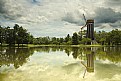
(103, 53)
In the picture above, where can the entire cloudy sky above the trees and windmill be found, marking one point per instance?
(60, 17)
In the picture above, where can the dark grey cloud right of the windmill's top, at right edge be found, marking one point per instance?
(107, 15)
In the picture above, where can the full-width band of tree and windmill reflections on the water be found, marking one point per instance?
(19, 56)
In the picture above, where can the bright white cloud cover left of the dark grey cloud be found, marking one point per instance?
(43, 17)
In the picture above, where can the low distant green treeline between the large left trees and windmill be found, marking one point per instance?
(68, 40)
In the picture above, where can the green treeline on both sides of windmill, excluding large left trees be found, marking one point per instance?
(104, 38)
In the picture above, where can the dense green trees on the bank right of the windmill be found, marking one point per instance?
(108, 38)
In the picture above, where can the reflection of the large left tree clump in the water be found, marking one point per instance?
(15, 56)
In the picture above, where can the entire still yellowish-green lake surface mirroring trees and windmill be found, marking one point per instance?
(60, 64)
